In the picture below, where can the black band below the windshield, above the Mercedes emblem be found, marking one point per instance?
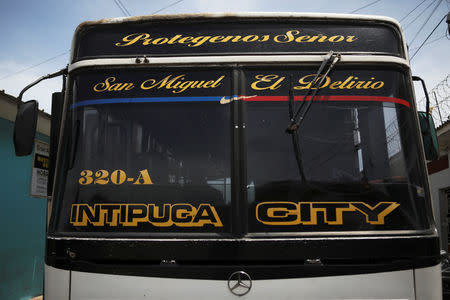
(261, 259)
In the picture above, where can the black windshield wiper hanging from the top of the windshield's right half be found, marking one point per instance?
(297, 118)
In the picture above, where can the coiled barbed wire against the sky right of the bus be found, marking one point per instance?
(439, 102)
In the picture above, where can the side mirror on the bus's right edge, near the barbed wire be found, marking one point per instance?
(429, 136)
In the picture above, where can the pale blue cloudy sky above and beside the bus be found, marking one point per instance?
(36, 35)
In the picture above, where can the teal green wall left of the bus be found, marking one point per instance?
(22, 223)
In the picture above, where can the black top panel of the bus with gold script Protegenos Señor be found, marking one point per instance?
(235, 37)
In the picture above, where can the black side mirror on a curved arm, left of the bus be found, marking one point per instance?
(25, 127)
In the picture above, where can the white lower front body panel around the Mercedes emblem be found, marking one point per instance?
(386, 285)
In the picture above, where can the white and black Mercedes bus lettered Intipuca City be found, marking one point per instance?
(253, 155)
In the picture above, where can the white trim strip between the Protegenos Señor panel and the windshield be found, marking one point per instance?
(235, 59)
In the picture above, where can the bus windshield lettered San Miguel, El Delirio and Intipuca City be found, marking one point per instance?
(160, 152)
